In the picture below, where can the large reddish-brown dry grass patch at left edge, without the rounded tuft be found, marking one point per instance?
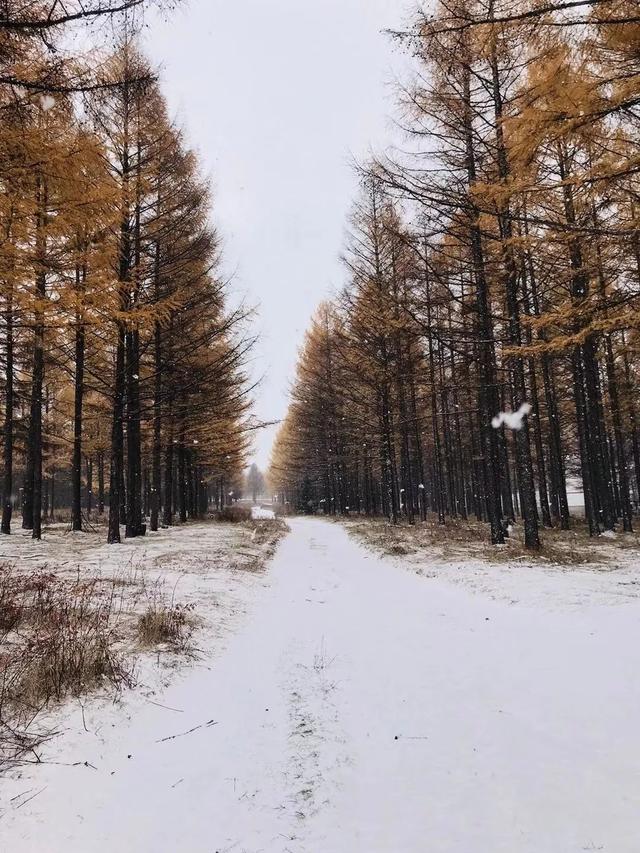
(58, 638)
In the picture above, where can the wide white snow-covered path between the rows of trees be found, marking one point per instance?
(363, 709)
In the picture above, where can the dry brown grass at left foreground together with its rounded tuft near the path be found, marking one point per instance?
(65, 636)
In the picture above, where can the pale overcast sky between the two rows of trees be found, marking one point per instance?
(278, 97)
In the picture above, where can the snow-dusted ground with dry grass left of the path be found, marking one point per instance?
(205, 573)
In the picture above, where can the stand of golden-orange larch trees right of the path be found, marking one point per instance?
(486, 340)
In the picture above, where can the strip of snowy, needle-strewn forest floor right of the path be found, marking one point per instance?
(571, 568)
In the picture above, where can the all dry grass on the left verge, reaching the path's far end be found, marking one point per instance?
(67, 629)
